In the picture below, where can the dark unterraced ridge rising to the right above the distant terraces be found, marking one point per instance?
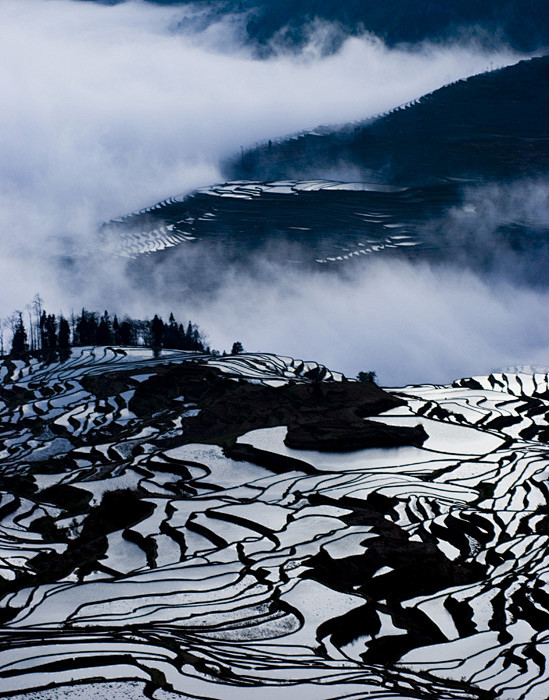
(490, 126)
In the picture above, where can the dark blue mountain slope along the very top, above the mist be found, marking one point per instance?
(523, 25)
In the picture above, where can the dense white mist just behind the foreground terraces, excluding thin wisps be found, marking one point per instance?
(409, 323)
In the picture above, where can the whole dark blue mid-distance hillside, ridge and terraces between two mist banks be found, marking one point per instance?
(422, 169)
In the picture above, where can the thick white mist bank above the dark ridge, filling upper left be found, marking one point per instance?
(109, 108)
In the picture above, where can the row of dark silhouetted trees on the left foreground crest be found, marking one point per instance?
(47, 334)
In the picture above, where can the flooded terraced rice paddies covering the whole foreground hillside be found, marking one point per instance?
(150, 550)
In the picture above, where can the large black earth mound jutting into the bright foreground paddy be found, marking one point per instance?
(320, 415)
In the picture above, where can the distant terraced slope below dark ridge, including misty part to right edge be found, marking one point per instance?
(328, 226)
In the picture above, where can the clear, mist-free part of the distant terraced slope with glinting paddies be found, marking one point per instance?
(319, 221)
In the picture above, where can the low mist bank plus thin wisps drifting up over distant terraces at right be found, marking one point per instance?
(478, 302)
